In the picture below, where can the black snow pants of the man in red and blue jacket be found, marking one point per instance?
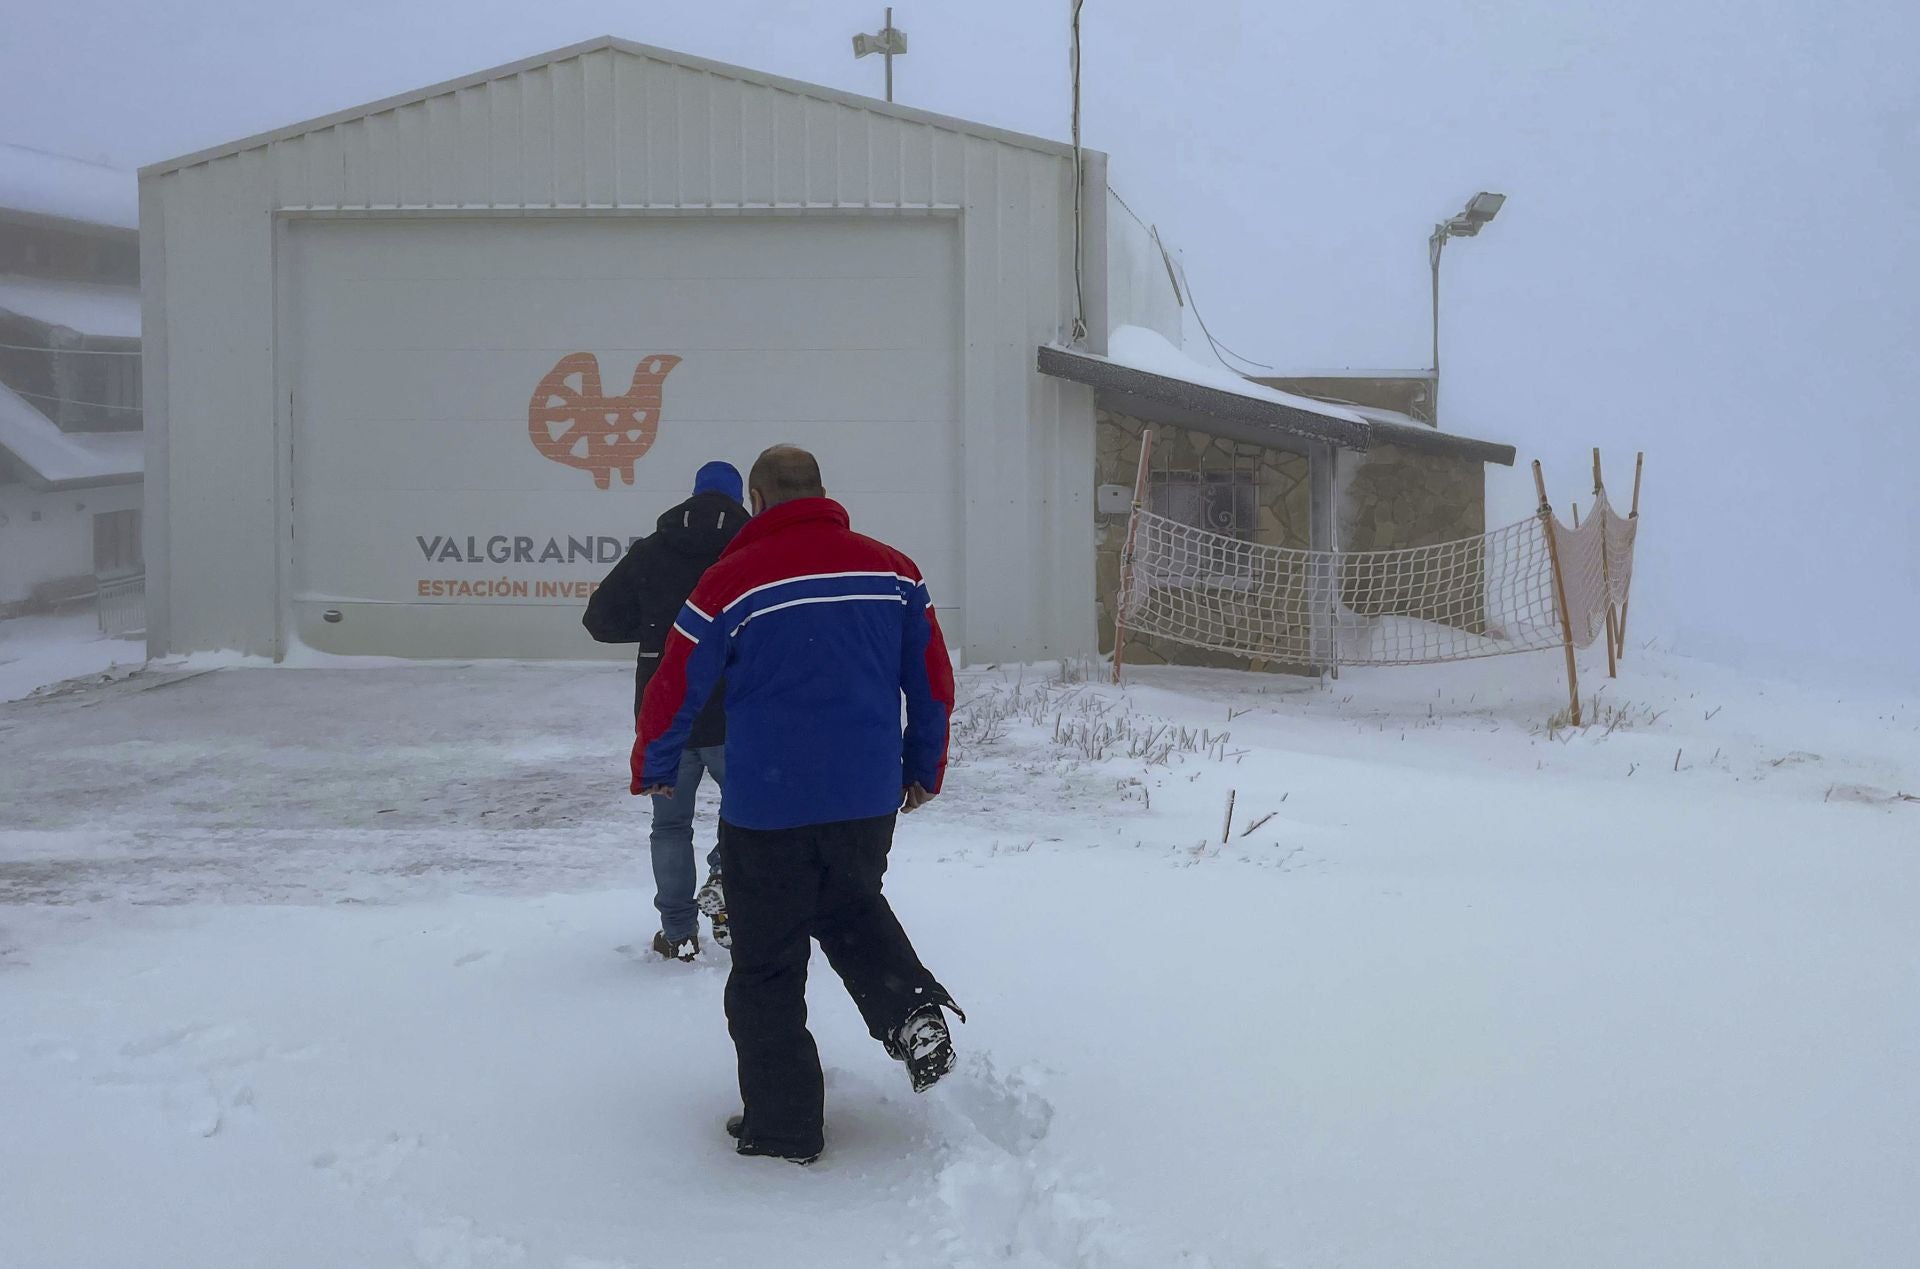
(782, 890)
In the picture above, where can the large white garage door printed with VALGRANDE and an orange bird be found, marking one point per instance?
(489, 410)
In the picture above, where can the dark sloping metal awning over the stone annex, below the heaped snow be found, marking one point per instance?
(1259, 418)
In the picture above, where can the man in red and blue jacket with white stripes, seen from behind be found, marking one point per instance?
(819, 634)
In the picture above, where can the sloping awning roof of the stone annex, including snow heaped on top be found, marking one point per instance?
(1145, 375)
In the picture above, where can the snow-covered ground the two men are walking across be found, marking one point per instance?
(335, 969)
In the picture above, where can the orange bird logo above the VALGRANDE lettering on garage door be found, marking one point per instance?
(575, 423)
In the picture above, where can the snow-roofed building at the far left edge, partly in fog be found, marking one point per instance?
(70, 381)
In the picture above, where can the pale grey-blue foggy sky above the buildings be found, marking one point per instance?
(1708, 252)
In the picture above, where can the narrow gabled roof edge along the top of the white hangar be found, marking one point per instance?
(612, 43)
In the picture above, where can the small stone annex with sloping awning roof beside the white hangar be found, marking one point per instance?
(1270, 467)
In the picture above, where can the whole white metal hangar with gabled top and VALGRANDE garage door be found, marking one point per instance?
(418, 371)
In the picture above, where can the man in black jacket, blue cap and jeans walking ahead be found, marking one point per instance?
(638, 604)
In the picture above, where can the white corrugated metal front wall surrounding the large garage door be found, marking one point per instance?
(612, 132)
